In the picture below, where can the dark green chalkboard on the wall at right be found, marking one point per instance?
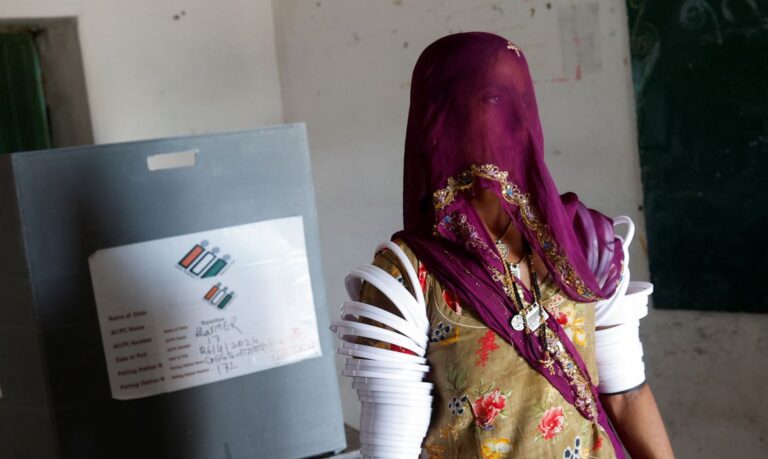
(700, 72)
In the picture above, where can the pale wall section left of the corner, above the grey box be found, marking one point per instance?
(150, 75)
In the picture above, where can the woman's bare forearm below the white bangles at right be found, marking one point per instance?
(638, 422)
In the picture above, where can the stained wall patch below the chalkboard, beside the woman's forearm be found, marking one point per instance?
(709, 372)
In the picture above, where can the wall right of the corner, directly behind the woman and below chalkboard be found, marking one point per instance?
(345, 69)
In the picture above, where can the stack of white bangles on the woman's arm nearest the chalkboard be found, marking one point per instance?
(618, 350)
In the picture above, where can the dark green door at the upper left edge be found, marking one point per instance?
(23, 116)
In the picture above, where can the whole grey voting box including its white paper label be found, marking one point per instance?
(164, 299)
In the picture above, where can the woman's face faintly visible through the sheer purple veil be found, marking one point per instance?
(487, 111)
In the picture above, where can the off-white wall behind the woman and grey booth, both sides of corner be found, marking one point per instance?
(345, 67)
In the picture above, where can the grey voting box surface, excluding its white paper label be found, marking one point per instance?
(58, 207)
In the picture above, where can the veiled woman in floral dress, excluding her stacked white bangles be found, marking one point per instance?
(510, 269)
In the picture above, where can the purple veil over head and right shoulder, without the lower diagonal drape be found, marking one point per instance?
(473, 124)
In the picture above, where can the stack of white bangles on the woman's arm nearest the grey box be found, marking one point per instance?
(396, 401)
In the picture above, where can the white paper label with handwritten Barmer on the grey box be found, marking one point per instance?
(199, 308)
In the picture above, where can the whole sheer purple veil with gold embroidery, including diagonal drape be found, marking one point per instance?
(473, 123)
